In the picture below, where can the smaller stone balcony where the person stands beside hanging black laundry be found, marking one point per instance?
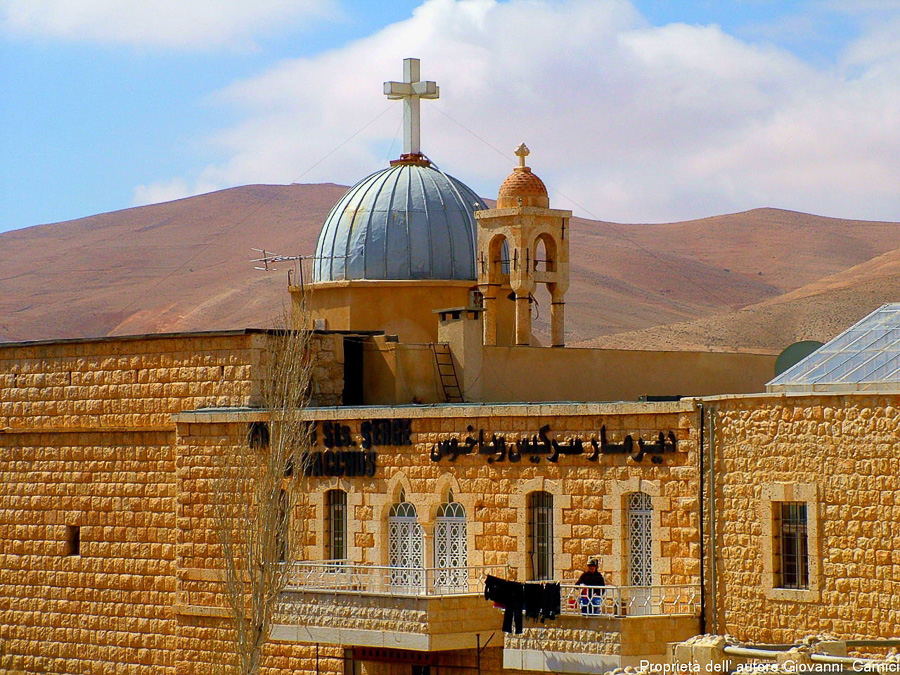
(602, 628)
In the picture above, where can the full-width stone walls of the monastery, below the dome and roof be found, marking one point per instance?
(107, 457)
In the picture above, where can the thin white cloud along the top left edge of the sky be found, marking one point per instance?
(179, 24)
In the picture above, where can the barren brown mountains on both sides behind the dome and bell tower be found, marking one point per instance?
(184, 265)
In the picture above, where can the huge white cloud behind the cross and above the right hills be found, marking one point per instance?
(633, 122)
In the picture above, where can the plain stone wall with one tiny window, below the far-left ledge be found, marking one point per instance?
(111, 603)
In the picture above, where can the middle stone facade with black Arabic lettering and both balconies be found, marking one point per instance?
(449, 457)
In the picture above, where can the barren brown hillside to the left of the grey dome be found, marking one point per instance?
(181, 265)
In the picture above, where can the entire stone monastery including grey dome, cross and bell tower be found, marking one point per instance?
(765, 516)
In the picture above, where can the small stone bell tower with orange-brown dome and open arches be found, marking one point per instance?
(523, 242)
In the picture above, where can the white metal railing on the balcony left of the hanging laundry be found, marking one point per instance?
(338, 576)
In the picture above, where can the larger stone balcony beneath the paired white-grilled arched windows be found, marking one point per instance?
(420, 609)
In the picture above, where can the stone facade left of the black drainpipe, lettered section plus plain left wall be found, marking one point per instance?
(109, 556)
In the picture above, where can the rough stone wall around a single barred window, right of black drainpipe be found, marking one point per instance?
(838, 454)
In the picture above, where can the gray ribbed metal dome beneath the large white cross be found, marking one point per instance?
(410, 221)
